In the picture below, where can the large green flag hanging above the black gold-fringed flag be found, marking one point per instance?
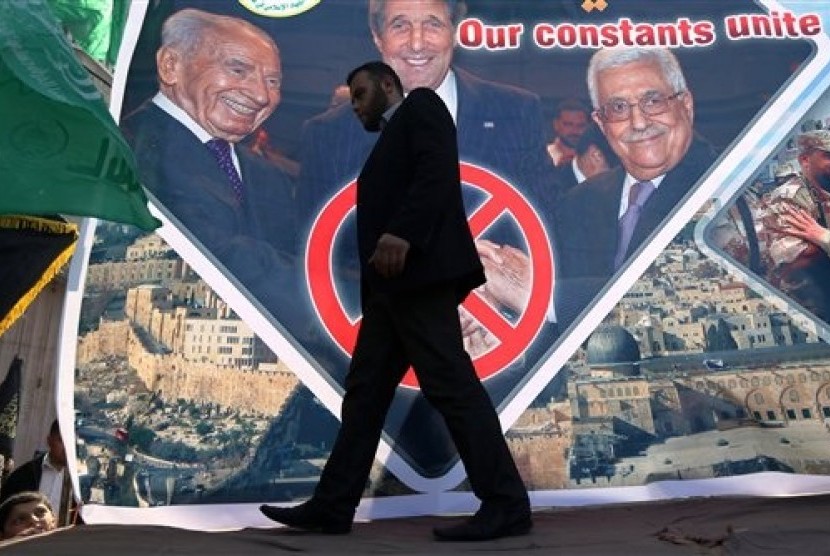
(60, 150)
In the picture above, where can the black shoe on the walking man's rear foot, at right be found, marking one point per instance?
(490, 522)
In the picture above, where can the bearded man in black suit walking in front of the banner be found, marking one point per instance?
(418, 261)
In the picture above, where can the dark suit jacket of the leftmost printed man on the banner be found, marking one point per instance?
(255, 239)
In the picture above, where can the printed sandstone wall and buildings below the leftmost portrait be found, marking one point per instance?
(182, 340)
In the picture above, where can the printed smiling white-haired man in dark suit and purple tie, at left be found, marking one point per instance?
(219, 79)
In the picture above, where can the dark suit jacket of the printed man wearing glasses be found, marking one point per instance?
(587, 227)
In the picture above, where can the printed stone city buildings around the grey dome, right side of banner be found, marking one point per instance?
(688, 351)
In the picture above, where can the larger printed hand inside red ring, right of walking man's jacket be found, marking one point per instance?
(508, 275)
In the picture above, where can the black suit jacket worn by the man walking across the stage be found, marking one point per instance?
(410, 187)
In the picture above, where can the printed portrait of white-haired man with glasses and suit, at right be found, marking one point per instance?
(646, 111)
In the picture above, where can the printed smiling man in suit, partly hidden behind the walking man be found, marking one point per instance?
(499, 126)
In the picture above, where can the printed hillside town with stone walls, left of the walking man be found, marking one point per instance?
(173, 390)
